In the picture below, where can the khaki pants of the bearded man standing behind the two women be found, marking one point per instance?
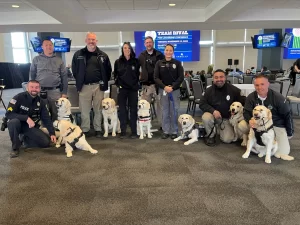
(147, 94)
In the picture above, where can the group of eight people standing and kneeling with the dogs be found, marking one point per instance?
(161, 77)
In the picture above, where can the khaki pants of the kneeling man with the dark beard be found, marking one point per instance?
(224, 127)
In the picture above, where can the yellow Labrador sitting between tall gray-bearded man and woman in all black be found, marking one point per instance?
(110, 117)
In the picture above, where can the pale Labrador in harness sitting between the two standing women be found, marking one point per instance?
(144, 119)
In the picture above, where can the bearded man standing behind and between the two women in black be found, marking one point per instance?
(148, 59)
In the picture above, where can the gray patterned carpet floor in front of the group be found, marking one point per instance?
(149, 182)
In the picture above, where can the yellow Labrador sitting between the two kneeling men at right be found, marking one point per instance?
(237, 121)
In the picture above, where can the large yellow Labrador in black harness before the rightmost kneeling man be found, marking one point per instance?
(261, 139)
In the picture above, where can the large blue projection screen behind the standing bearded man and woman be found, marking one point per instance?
(186, 43)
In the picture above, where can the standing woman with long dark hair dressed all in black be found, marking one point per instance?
(126, 71)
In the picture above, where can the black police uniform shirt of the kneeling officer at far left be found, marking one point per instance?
(23, 105)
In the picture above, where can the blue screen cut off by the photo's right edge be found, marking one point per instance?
(292, 48)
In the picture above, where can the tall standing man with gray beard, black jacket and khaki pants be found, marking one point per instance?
(92, 70)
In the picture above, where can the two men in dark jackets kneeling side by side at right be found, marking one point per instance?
(217, 99)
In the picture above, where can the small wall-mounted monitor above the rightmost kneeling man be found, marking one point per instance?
(271, 40)
